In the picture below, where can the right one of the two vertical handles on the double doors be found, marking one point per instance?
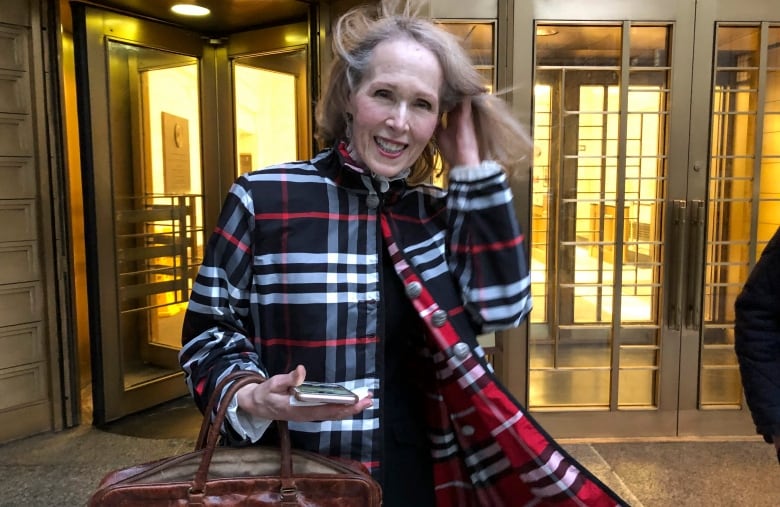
(695, 276)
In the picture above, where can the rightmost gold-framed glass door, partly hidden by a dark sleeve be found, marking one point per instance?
(736, 203)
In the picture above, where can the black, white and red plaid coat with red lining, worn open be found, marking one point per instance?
(292, 275)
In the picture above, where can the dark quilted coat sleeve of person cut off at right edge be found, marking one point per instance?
(757, 339)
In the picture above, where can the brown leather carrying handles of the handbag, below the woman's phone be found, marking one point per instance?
(211, 428)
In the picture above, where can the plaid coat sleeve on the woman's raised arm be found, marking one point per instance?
(486, 250)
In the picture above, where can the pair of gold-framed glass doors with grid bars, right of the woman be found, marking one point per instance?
(632, 331)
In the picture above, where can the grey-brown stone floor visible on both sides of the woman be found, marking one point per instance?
(64, 468)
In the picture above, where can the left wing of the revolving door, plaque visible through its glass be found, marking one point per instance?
(140, 129)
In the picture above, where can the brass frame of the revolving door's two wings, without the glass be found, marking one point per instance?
(93, 27)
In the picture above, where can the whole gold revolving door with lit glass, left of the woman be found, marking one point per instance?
(169, 119)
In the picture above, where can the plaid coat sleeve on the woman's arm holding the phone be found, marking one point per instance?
(216, 333)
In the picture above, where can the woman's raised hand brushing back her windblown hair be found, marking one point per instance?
(457, 137)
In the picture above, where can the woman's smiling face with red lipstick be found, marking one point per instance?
(395, 109)
